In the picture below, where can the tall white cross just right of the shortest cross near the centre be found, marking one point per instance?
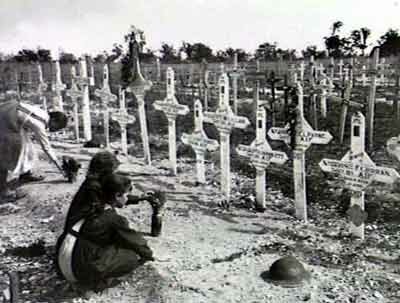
(225, 120)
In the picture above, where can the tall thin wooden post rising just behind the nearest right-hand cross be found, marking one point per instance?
(371, 99)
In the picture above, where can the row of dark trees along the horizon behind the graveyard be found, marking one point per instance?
(336, 45)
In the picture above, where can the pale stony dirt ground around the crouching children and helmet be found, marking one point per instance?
(206, 253)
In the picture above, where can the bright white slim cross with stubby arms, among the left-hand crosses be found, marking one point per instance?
(84, 81)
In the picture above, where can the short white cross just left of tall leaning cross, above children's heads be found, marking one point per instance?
(123, 118)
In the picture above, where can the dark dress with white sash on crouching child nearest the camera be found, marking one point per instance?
(98, 246)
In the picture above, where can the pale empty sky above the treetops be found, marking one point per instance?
(92, 26)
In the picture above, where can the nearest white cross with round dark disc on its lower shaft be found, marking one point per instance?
(357, 171)
